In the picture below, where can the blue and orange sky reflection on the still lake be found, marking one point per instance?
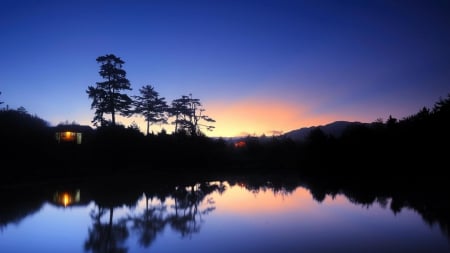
(234, 220)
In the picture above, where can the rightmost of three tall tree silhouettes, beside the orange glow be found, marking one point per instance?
(188, 115)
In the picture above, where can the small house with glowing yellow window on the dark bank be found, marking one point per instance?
(75, 134)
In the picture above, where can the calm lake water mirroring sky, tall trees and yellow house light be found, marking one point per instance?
(210, 217)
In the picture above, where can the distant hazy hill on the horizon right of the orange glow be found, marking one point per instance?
(335, 129)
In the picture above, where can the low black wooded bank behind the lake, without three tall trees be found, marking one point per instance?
(379, 149)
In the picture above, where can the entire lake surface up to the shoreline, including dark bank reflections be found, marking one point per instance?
(277, 212)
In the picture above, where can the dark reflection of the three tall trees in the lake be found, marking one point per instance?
(184, 216)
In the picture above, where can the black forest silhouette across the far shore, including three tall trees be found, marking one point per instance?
(415, 146)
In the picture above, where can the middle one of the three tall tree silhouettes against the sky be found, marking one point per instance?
(151, 106)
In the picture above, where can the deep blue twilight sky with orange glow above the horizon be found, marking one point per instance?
(258, 67)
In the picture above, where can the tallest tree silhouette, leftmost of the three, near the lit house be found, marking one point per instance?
(106, 96)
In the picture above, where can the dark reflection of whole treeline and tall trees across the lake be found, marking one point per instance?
(182, 206)
